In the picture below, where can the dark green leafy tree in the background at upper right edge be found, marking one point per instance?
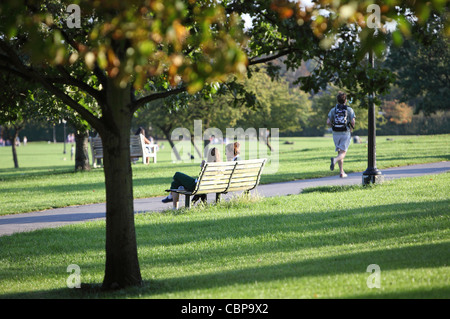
(422, 65)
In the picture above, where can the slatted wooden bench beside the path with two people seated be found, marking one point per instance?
(223, 177)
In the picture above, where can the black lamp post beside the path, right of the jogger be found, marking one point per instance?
(371, 174)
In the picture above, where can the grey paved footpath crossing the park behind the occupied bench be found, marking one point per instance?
(10, 224)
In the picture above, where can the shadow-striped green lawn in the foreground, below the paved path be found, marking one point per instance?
(314, 245)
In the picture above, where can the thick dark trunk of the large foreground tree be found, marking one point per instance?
(122, 265)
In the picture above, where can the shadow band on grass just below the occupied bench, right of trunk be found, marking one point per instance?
(355, 224)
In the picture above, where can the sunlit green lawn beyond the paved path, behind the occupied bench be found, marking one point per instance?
(46, 179)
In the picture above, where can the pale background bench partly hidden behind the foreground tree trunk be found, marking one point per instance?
(137, 149)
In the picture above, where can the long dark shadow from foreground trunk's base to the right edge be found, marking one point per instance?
(352, 263)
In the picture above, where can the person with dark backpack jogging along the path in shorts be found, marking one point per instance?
(341, 119)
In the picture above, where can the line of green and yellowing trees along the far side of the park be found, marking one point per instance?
(280, 104)
